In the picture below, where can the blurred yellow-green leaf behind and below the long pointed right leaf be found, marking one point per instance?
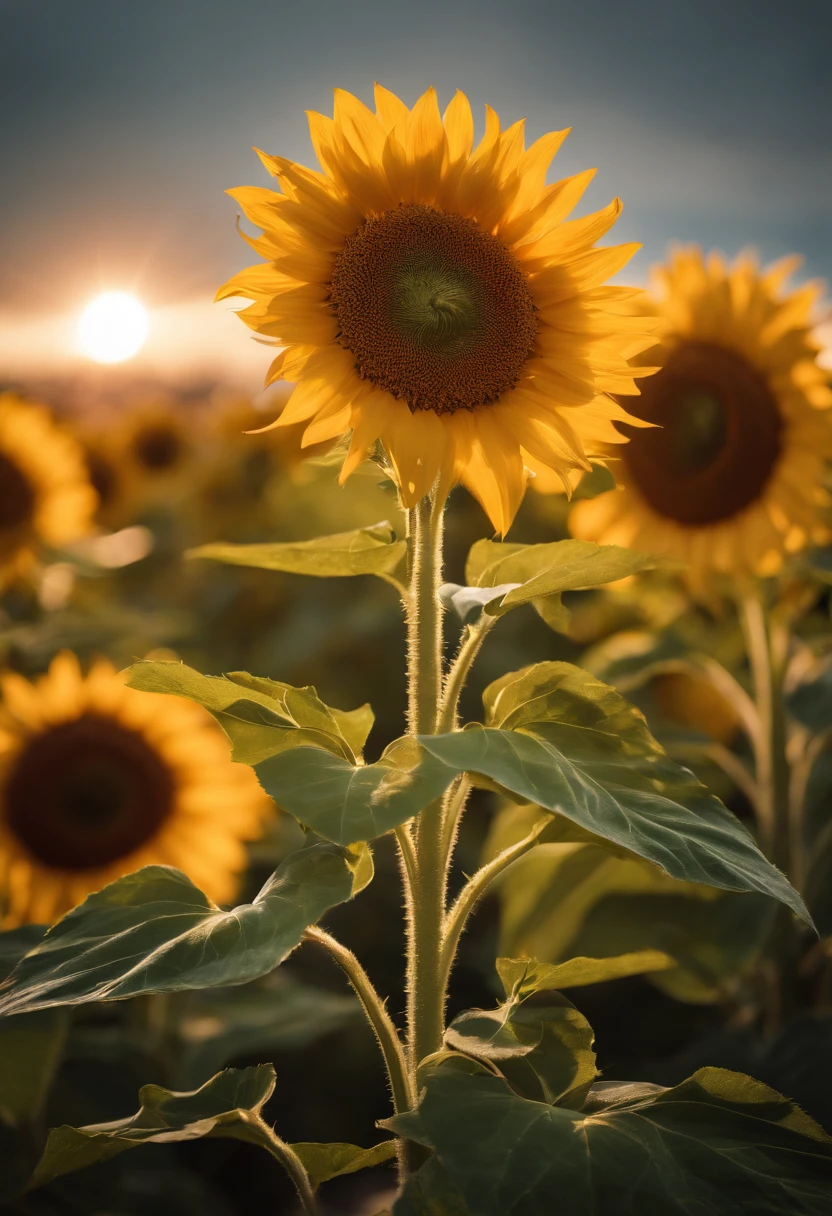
(577, 898)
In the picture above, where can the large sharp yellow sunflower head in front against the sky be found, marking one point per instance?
(432, 297)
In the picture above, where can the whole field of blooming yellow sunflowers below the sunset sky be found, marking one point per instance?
(417, 778)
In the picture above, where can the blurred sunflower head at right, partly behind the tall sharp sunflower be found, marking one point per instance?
(734, 480)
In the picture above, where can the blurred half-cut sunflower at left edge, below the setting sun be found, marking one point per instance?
(46, 494)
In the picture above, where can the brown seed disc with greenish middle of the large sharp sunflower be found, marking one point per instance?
(435, 311)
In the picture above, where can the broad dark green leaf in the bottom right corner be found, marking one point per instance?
(719, 1144)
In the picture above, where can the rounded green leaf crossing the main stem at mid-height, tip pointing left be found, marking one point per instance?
(346, 803)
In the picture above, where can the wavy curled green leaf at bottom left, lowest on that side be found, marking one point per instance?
(222, 1107)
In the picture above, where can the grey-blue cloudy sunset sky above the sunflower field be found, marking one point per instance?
(125, 122)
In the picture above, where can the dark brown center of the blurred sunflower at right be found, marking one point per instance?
(719, 438)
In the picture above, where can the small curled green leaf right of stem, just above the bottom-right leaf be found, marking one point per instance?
(543, 1048)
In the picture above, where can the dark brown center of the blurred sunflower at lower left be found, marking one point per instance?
(88, 792)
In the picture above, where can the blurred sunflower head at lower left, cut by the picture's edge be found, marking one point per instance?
(98, 780)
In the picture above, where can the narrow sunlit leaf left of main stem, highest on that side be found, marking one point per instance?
(373, 550)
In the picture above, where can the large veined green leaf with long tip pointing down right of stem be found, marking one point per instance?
(569, 744)
